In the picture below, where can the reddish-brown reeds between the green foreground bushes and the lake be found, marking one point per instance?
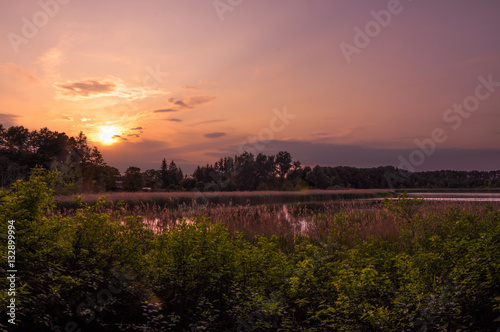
(346, 221)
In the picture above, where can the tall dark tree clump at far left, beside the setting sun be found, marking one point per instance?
(80, 168)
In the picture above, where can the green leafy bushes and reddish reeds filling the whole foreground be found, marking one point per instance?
(407, 266)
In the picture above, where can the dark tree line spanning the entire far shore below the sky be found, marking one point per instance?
(81, 168)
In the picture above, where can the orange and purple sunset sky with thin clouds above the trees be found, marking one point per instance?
(413, 84)
